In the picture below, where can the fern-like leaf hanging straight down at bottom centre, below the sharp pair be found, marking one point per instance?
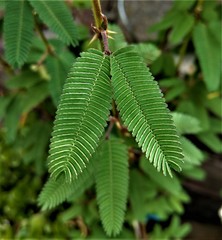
(112, 185)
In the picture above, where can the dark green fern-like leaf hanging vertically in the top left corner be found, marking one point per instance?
(18, 31)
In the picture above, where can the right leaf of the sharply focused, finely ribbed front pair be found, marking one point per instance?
(144, 111)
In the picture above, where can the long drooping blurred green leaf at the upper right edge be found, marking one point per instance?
(207, 49)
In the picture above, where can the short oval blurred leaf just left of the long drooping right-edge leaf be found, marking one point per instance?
(181, 28)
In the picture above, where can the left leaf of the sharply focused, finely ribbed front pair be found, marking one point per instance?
(82, 114)
